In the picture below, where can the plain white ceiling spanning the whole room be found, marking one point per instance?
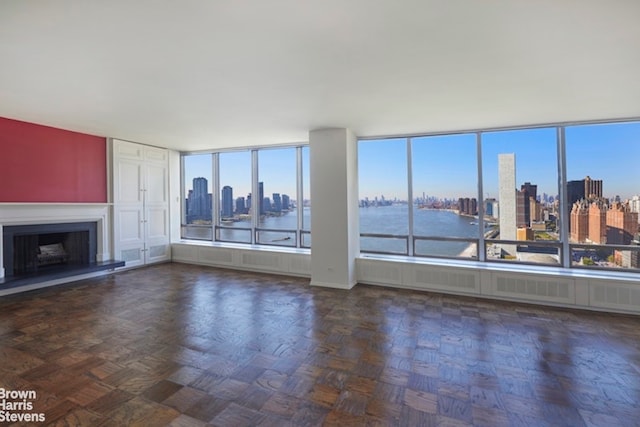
(202, 74)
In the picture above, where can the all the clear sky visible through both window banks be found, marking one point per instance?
(447, 166)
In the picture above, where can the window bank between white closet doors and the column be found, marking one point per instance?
(259, 196)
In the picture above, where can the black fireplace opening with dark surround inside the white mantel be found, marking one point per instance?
(36, 249)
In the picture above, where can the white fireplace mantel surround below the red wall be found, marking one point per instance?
(52, 213)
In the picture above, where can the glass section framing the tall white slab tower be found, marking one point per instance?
(520, 181)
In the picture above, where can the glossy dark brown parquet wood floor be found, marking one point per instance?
(184, 345)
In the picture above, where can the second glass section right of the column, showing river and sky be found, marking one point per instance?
(445, 189)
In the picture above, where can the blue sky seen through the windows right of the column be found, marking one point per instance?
(447, 166)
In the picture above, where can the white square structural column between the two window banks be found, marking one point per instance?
(334, 198)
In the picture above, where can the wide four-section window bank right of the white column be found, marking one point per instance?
(546, 195)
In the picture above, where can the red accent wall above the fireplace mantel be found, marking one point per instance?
(44, 164)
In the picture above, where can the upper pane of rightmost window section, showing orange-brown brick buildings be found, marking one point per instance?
(603, 183)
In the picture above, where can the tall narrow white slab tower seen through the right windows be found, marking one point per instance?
(507, 197)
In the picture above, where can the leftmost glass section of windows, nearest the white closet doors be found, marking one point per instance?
(198, 202)
